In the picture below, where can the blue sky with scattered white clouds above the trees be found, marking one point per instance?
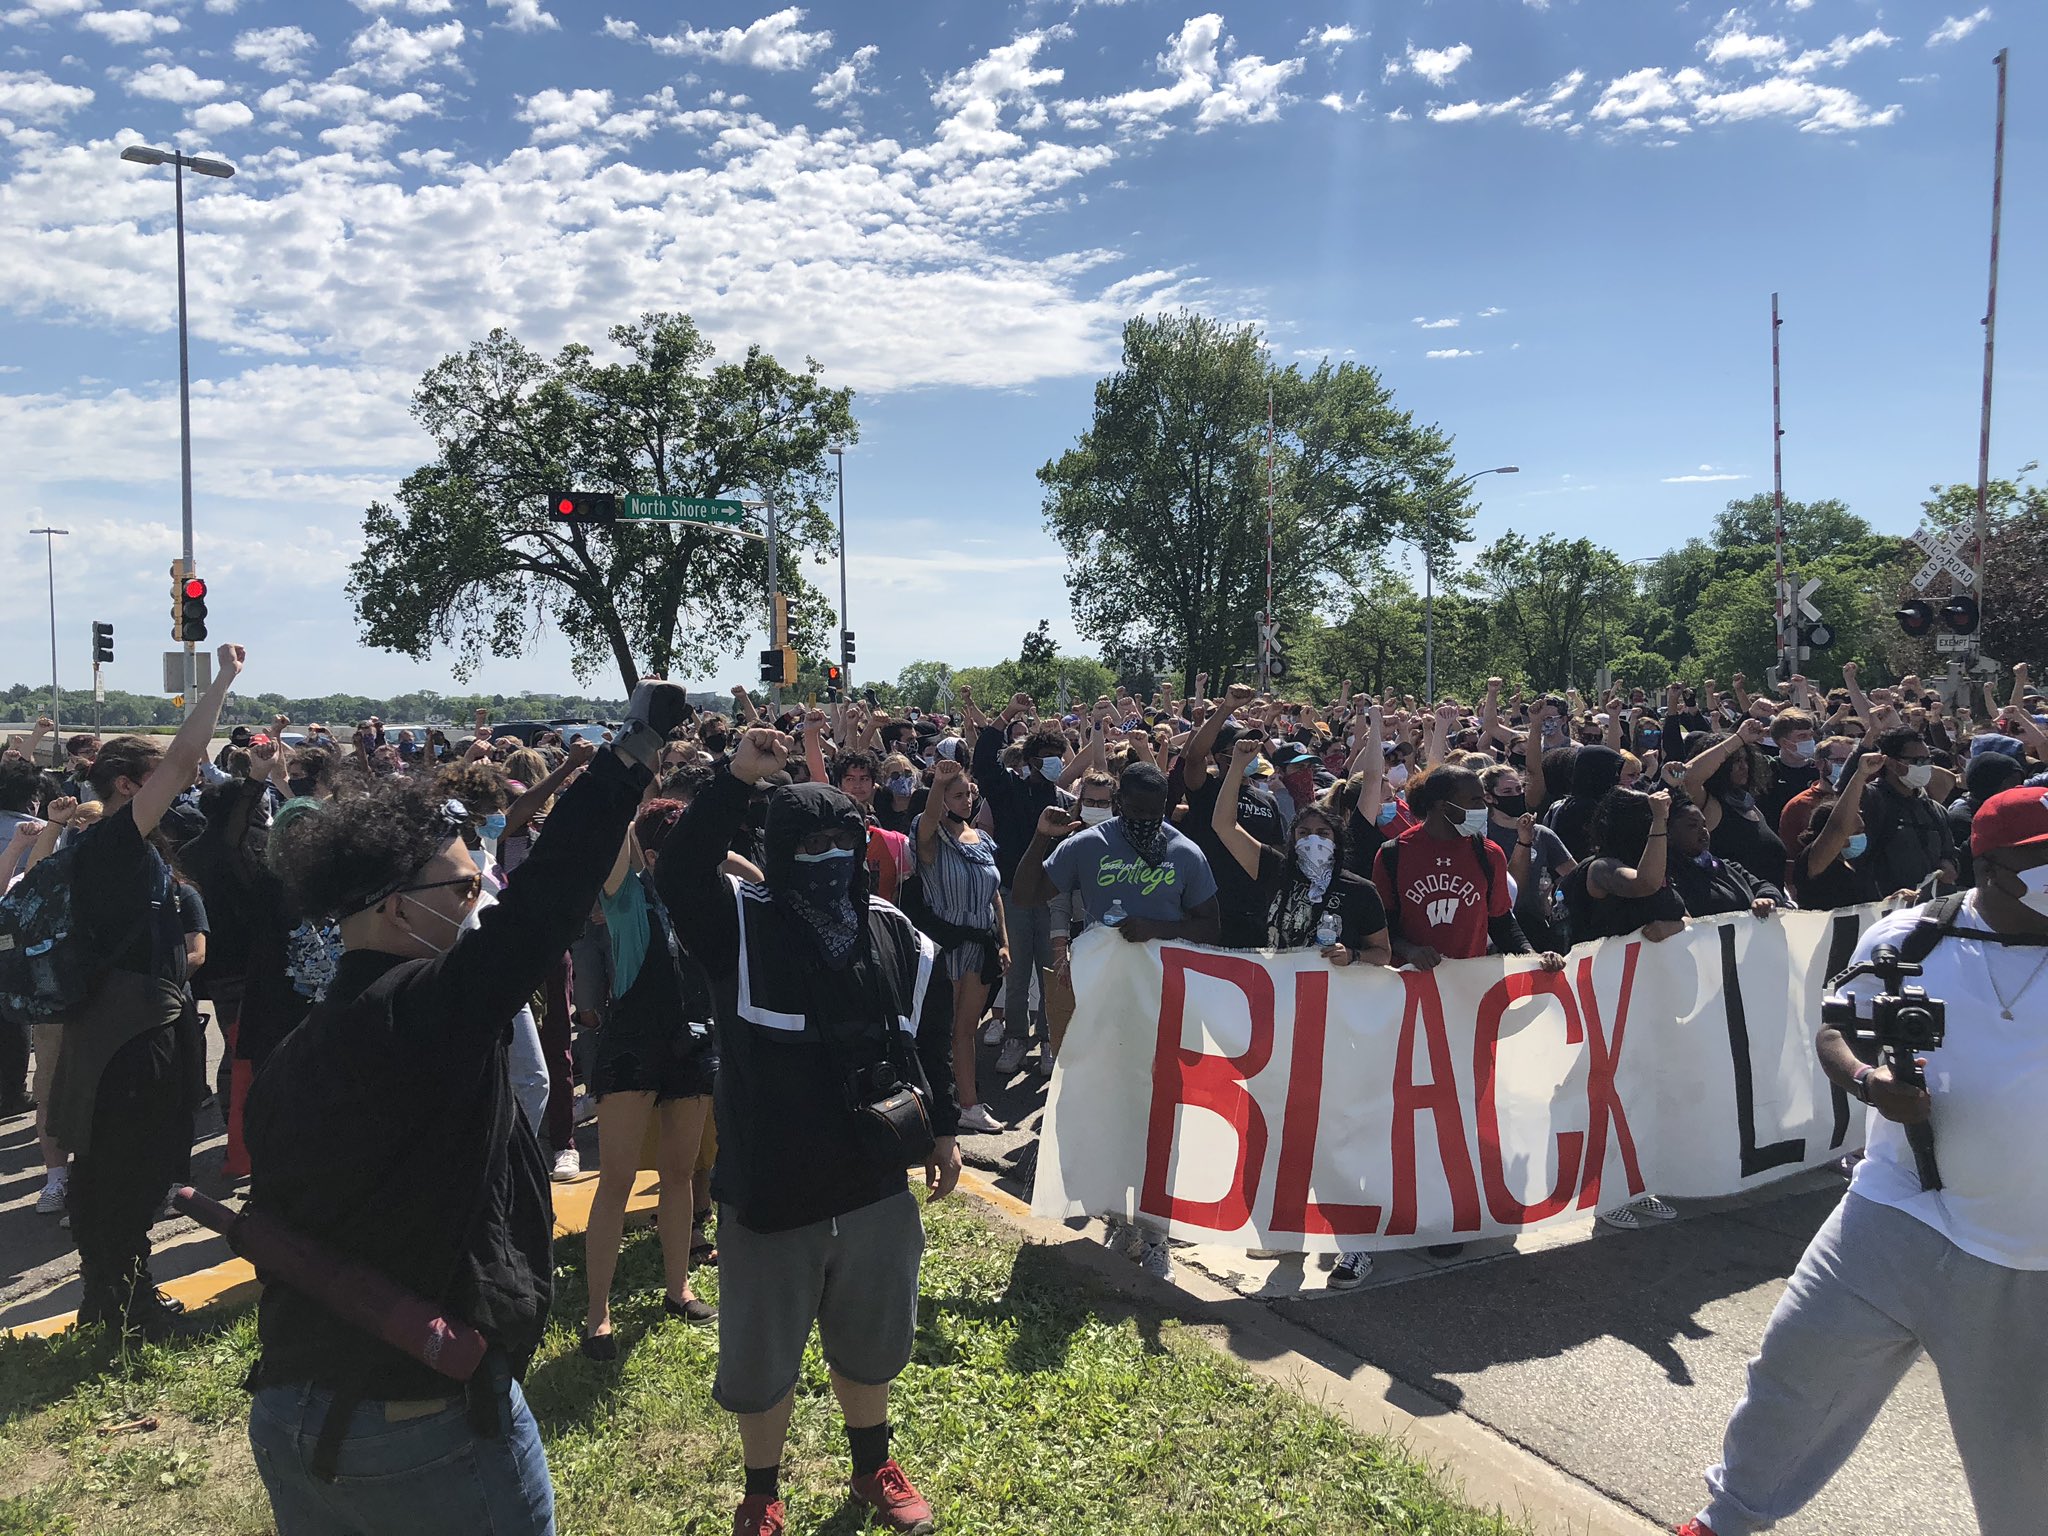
(1553, 226)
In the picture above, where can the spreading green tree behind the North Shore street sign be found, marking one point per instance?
(468, 556)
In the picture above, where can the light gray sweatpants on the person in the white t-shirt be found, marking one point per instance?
(1871, 1293)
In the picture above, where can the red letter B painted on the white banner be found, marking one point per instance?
(1207, 1082)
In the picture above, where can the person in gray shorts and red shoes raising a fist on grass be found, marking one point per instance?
(835, 1031)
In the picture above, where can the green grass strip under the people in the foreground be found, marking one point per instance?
(1033, 1406)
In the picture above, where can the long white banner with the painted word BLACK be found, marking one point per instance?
(1275, 1101)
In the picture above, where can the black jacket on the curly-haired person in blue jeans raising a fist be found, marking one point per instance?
(386, 1125)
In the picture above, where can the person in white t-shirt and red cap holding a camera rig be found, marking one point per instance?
(1957, 1265)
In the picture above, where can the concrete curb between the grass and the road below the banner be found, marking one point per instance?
(1488, 1469)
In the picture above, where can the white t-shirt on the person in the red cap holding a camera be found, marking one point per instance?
(1990, 1082)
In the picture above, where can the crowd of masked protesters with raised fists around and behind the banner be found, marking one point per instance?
(599, 925)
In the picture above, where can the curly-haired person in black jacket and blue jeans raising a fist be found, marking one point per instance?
(386, 1129)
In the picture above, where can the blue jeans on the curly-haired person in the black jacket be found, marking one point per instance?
(404, 1467)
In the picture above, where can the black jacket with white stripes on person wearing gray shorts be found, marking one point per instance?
(790, 1148)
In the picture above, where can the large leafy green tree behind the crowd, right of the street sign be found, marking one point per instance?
(1162, 503)
